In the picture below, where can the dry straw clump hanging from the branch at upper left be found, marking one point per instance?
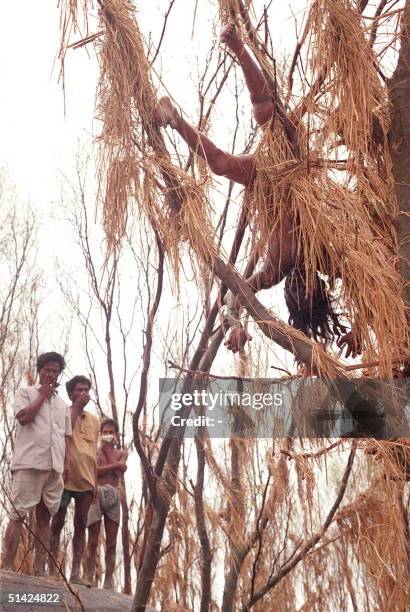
(135, 171)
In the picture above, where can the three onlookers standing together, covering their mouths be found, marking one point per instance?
(62, 453)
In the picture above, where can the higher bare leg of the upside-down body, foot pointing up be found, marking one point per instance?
(261, 96)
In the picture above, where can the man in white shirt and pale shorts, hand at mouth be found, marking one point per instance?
(43, 427)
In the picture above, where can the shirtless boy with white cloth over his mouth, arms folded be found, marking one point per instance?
(111, 464)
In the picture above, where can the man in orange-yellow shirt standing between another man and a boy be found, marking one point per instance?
(80, 476)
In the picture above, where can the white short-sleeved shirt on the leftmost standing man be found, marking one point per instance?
(40, 445)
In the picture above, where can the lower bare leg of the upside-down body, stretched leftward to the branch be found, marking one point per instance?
(237, 168)
